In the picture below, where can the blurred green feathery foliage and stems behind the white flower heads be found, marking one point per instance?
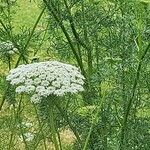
(109, 40)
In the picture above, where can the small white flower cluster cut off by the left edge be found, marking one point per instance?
(8, 47)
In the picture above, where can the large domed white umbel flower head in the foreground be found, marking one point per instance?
(45, 78)
